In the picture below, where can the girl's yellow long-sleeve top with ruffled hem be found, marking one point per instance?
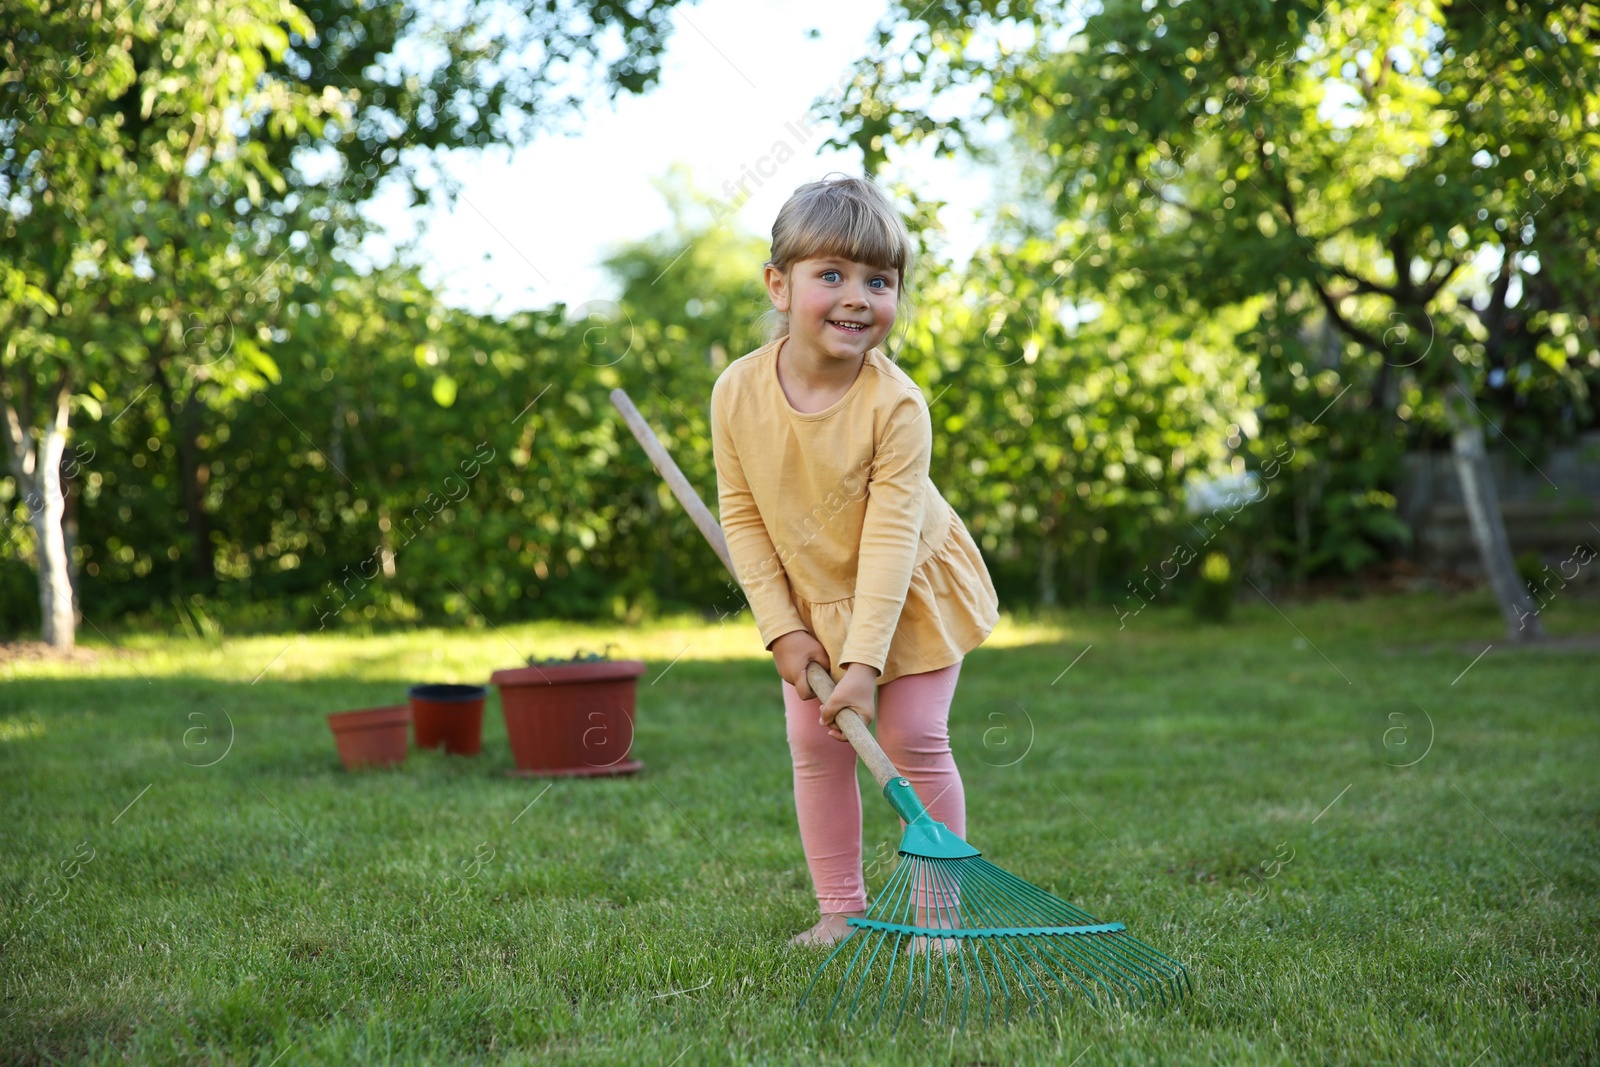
(834, 526)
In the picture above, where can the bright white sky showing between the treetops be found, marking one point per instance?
(532, 226)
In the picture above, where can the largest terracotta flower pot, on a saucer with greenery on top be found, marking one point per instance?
(577, 719)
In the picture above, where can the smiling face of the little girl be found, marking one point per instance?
(838, 308)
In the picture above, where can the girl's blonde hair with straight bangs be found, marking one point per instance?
(839, 217)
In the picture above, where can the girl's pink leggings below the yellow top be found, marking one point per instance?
(913, 725)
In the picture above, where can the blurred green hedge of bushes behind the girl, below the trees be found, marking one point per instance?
(409, 462)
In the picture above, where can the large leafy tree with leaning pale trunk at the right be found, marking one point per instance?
(1425, 172)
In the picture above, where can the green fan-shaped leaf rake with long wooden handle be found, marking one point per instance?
(953, 935)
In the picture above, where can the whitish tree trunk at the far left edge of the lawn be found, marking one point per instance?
(36, 465)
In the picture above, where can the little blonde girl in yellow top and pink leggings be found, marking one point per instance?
(844, 546)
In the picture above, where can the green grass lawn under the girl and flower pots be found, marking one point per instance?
(276, 909)
